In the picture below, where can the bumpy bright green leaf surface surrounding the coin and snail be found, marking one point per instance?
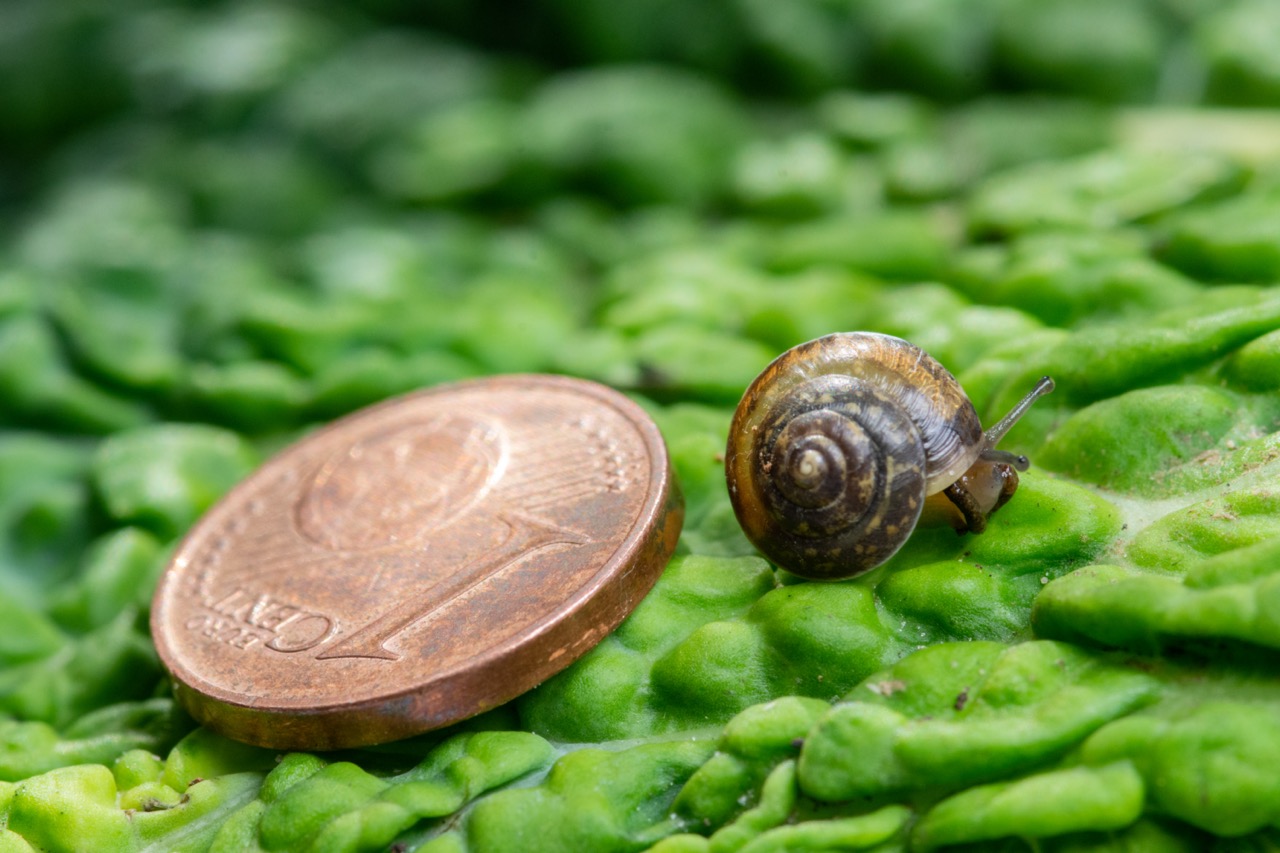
(264, 216)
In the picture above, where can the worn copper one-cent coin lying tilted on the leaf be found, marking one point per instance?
(418, 563)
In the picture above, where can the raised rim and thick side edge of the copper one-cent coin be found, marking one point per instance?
(607, 599)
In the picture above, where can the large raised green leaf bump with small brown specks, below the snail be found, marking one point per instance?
(954, 715)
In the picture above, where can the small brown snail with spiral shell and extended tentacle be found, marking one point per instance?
(842, 444)
